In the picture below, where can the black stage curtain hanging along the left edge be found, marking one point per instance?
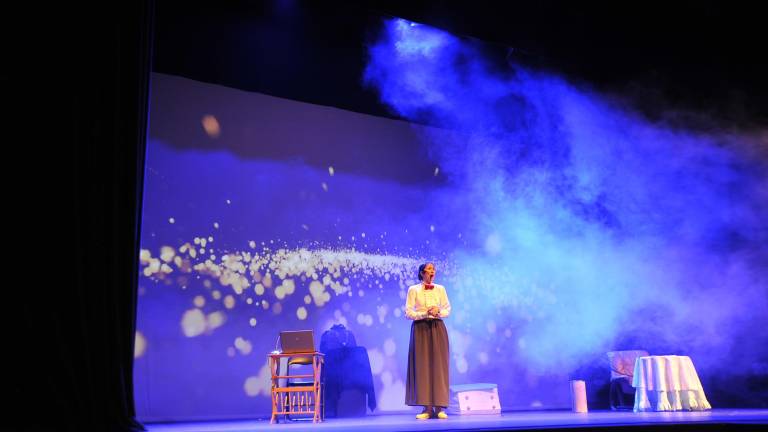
(78, 81)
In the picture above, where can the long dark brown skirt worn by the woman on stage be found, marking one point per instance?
(428, 363)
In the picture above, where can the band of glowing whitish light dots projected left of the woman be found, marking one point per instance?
(324, 272)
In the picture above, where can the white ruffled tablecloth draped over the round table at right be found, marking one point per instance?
(669, 383)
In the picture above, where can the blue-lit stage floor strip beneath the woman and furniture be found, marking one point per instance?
(507, 421)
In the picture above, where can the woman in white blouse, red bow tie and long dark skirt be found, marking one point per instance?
(427, 385)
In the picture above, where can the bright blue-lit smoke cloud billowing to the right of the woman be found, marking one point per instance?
(592, 228)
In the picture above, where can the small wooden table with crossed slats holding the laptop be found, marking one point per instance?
(303, 399)
